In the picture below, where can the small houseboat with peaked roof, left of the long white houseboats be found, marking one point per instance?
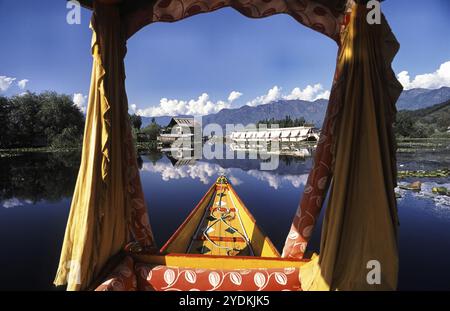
(180, 130)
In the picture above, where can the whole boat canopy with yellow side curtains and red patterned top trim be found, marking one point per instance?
(354, 159)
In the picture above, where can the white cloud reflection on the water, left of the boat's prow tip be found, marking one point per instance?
(201, 171)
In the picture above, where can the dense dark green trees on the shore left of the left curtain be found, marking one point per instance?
(40, 120)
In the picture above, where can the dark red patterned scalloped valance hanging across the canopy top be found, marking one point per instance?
(324, 16)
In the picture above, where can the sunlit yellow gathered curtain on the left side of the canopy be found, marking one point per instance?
(108, 202)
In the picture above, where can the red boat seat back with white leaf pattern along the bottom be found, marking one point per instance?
(131, 276)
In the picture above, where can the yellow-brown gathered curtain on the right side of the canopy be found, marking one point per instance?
(359, 233)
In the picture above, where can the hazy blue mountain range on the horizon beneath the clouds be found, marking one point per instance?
(313, 112)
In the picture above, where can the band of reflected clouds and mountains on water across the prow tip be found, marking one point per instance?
(294, 173)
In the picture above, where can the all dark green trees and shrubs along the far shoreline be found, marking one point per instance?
(51, 122)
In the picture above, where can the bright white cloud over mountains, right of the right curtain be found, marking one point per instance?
(437, 79)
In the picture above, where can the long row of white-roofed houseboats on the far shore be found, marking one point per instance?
(292, 134)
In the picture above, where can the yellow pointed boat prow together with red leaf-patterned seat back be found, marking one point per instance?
(218, 247)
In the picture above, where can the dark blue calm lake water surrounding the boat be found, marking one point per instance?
(36, 189)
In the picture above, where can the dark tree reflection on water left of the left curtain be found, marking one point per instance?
(34, 177)
